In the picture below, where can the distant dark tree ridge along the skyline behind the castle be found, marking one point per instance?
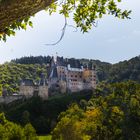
(102, 67)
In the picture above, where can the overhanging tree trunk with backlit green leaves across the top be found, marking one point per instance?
(15, 14)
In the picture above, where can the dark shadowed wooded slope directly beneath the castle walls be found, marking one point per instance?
(42, 114)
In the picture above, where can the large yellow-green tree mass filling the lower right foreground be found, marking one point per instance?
(113, 113)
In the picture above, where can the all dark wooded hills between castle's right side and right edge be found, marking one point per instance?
(122, 71)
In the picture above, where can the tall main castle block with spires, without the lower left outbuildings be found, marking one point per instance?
(70, 76)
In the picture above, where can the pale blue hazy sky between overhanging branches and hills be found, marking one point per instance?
(112, 41)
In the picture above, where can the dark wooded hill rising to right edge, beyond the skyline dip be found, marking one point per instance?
(125, 70)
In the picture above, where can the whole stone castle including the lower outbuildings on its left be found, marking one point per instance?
(64, 76)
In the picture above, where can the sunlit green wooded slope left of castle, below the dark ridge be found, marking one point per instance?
(11, 74)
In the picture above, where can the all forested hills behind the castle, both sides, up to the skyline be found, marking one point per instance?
(32, 67)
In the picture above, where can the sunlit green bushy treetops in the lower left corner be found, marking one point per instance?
(12, 131)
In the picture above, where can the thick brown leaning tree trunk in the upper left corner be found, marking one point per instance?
(14, 10)
